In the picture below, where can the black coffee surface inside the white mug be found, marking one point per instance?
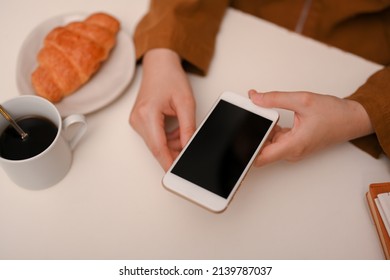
(41, 133)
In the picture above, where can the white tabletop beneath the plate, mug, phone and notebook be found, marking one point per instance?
(111, 205)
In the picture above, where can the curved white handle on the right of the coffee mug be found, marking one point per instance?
(74, 127)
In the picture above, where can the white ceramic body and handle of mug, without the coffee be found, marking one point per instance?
(50, 166)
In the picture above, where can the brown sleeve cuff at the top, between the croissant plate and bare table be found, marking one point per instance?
(187, 27)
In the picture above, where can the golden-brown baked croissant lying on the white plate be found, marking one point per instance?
(72, 54)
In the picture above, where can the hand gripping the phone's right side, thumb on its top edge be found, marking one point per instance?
(319, 121)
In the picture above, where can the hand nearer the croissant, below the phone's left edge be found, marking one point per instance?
(165, 92)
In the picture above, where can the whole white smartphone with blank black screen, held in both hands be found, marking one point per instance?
(213, 164)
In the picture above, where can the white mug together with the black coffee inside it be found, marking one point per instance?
(38, 166)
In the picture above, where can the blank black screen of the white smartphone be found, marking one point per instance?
(223, 147)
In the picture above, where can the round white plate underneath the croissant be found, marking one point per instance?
(103, 88)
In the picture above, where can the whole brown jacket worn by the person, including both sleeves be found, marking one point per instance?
(362, 27)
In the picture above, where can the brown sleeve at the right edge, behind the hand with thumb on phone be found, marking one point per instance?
(374, 95)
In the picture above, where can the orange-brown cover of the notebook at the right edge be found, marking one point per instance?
(372, 193)
